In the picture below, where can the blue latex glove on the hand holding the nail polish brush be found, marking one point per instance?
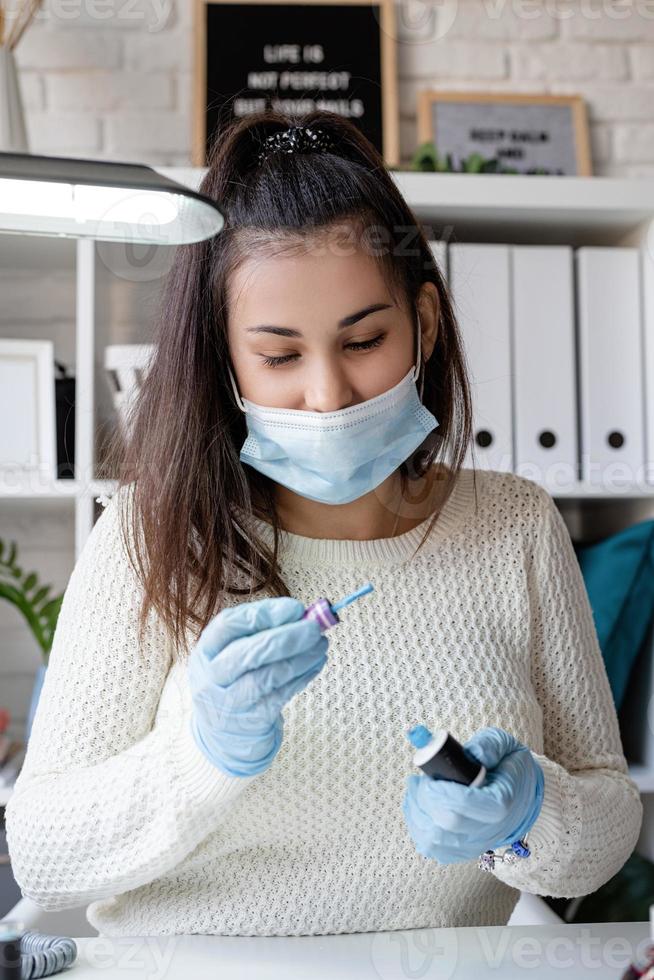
(248, 662)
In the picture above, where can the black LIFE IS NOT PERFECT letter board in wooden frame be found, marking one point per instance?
(297, 56)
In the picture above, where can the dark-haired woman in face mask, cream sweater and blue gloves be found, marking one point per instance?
(302, 430)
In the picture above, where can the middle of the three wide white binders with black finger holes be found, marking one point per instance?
(545, 386)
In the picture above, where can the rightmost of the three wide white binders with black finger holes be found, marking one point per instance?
(610, 366)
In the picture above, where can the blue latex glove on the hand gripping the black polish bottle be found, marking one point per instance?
(451, 822)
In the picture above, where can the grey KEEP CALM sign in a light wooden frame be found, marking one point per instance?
(528, 133)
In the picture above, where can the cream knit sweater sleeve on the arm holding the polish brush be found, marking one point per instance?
(113, 791)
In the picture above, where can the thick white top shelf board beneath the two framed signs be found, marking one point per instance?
(514, 208)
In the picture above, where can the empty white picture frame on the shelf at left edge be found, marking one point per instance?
(28, 447)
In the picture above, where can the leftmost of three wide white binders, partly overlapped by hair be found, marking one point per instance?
(480, 286)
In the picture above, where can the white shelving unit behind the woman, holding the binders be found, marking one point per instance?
(499, 208)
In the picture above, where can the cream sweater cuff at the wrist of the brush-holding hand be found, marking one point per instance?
(204, 784)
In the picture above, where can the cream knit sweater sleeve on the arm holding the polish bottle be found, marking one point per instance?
(592, 812)
